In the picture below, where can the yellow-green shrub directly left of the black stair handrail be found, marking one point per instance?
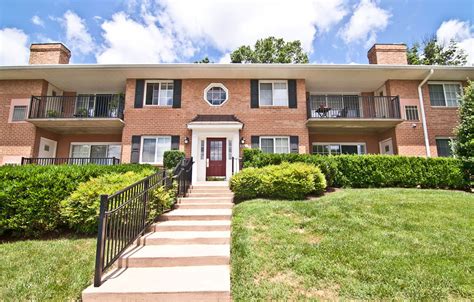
(80, 211)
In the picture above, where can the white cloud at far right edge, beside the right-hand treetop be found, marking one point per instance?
(461, 32)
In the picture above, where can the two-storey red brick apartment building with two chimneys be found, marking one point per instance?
(135, 112)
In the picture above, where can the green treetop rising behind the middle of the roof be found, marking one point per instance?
(270, 50)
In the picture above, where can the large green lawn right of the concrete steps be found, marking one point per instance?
(355, 244)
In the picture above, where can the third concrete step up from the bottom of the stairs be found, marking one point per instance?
(185, 237)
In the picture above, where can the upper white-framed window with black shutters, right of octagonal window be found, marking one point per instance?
(273, 93)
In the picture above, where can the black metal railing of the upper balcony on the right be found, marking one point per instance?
(353, 107)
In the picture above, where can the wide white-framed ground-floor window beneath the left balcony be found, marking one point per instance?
(95, 150)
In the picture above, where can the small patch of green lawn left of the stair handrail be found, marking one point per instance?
(54, 270)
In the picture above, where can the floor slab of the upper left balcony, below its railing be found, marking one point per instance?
(80, 125)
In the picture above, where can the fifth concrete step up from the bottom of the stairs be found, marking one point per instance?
(198, 214)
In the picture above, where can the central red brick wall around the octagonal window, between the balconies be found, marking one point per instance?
(173, 121)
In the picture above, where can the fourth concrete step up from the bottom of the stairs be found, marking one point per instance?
(191, 225)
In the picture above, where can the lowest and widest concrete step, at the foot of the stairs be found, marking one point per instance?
(182, 283)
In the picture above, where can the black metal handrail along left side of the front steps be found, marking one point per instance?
(125, 215)
